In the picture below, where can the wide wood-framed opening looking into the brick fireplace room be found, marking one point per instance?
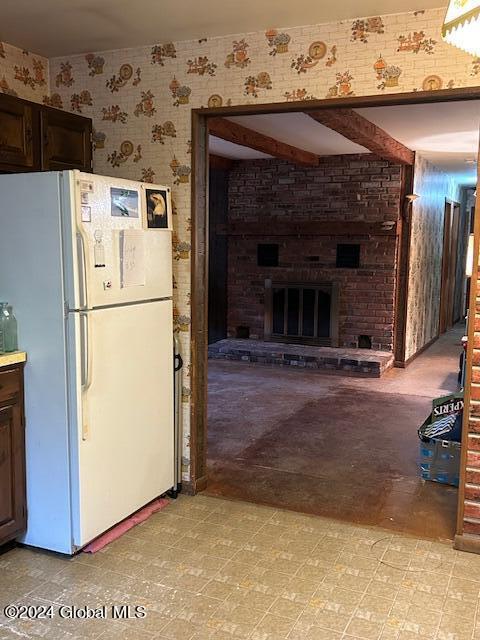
(310, 305)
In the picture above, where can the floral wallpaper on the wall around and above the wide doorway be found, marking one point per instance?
(140, 99)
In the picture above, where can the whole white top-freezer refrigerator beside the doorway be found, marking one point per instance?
(86, 262)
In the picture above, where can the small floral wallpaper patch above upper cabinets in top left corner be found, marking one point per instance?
(23, 74)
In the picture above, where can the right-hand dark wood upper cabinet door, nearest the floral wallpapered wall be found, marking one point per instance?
(66, 141)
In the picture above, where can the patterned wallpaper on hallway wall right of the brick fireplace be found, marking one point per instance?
(433, 186)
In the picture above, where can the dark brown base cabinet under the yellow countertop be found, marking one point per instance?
(13, 512)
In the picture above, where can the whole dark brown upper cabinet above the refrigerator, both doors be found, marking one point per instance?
(34, 137)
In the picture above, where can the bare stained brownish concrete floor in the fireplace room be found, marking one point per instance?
(343, 448)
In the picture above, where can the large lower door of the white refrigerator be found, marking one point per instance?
(124, 440)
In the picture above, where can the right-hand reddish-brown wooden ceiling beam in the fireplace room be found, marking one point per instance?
(358, 129)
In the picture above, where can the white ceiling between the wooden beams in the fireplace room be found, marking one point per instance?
(445, 133)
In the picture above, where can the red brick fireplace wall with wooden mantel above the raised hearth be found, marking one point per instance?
(295, 229)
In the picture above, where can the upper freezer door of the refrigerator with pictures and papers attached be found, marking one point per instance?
(107, 233)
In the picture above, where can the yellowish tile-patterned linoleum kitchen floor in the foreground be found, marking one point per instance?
(207, 568)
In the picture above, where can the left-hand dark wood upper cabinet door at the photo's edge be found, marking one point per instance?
(16, 134)
